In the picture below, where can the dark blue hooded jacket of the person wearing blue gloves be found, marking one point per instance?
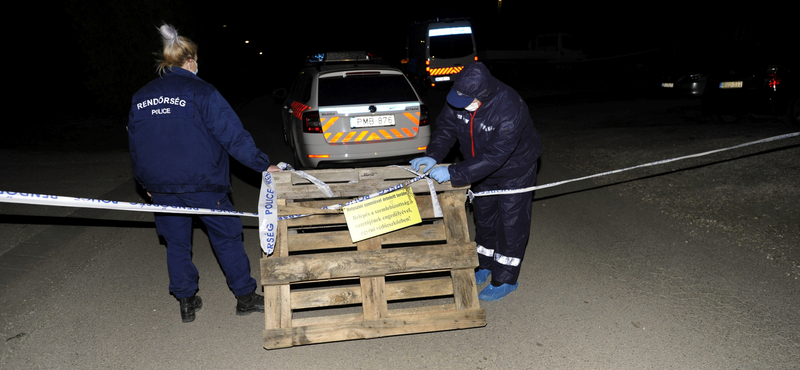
(499, 143)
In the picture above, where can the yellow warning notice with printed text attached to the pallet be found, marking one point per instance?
(381, 215)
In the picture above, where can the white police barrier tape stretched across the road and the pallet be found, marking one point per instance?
(268, 219)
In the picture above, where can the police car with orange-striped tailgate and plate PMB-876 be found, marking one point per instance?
(347, 109)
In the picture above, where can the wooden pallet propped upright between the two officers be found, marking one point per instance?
(338, 290)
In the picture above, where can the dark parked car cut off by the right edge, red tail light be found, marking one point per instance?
(761, 80)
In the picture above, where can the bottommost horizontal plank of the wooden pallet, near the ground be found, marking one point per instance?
(397, 325)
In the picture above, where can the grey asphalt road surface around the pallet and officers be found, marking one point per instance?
(614, 276)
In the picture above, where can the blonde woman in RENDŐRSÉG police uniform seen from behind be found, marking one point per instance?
(180, 132)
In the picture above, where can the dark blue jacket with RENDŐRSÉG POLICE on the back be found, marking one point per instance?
(180, 133)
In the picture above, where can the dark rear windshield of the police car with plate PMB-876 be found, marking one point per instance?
(368, 89)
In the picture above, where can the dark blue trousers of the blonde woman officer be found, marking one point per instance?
(224, 232)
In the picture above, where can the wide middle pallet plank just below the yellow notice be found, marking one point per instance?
(282, 270)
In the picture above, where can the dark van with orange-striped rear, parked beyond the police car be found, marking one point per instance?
(437, 50)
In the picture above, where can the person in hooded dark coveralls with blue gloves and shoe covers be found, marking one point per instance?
(501, 148)
